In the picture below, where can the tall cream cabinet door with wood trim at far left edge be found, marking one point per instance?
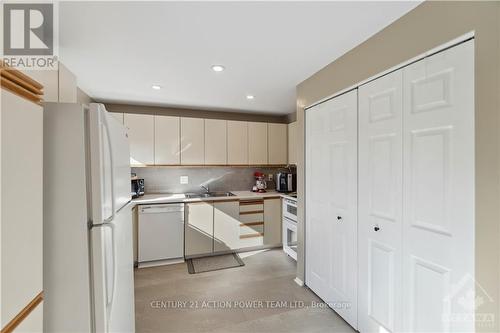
(21, 203)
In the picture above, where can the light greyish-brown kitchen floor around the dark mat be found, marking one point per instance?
(168, 299)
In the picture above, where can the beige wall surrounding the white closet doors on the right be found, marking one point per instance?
(427, 26)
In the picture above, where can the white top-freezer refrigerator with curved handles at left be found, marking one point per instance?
(88, 254)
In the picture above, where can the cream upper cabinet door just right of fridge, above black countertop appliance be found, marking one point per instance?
(141, 137)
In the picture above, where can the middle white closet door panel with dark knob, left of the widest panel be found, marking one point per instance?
(380, 204)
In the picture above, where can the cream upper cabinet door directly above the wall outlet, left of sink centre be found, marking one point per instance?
(192, 141)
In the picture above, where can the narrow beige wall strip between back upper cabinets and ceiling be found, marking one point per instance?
(195, 113)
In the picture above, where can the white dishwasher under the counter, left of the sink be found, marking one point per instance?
(161, 234)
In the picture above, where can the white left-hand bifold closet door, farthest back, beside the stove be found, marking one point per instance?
(331, 203)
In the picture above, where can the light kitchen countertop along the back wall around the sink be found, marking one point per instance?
(160, 198)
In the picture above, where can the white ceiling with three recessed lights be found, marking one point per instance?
(118, 50)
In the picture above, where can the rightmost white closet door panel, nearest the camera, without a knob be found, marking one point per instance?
(438, 178)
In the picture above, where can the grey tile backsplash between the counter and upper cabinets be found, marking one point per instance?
(167, 179)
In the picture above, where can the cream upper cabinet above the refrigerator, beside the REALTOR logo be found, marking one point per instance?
(59, 85)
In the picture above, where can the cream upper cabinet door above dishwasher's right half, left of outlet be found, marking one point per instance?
(167, 140)
